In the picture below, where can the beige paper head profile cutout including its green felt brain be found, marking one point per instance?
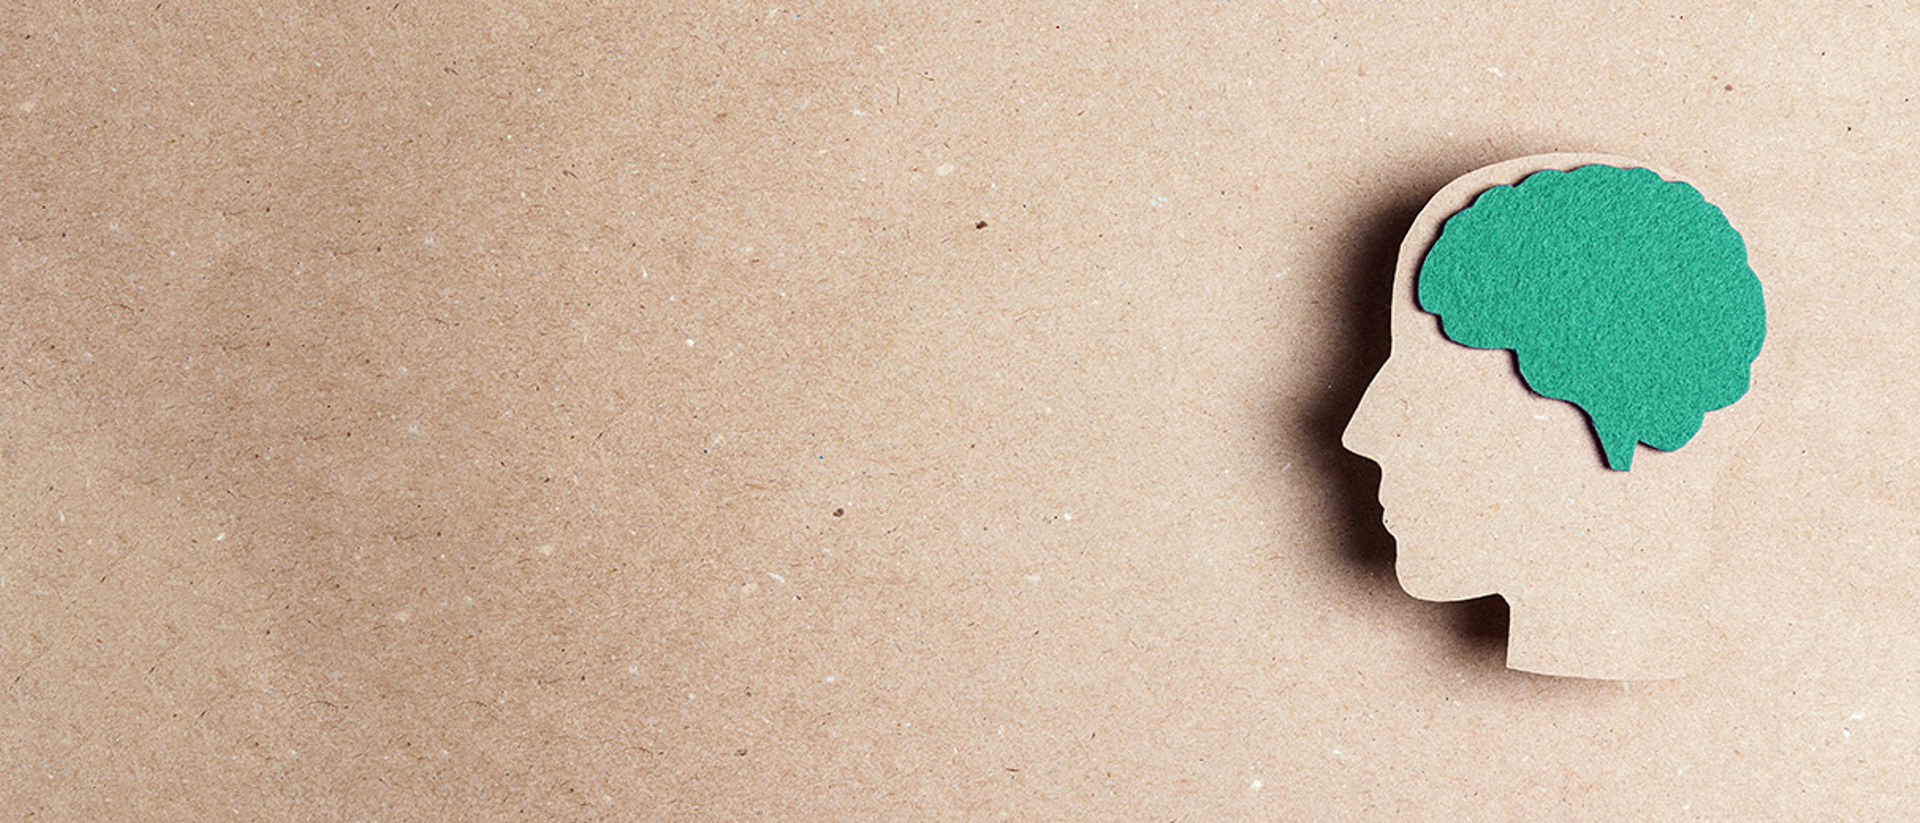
(1518, 344)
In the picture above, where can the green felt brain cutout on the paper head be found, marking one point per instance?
(1618, 291)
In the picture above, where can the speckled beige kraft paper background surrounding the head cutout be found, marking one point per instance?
(427, 411)
